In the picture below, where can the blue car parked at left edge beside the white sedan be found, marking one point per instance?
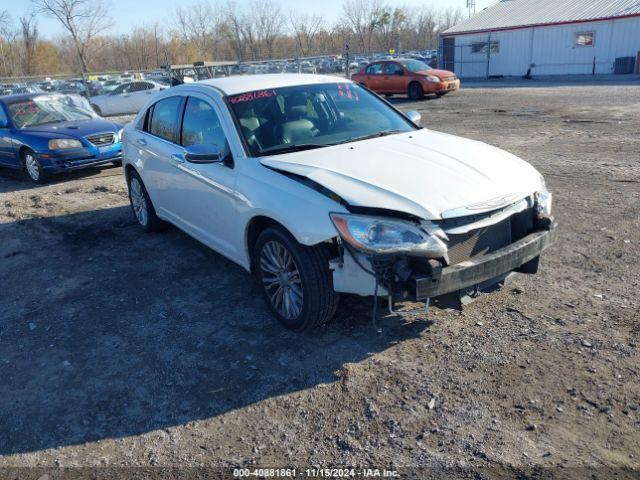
(47, 133)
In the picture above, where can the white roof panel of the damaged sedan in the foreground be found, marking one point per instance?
(249, 83)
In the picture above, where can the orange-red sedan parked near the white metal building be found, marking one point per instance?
(406, 76)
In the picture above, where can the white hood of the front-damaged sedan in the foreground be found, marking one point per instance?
(428, 174)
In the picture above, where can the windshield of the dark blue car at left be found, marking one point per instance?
(49, 109)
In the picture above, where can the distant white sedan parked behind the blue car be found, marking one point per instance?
(126, 98)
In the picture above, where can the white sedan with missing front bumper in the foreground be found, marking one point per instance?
(320, 187)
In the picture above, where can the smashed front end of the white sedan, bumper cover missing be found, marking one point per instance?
(446, 262)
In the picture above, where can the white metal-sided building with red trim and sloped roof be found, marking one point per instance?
(545, 37)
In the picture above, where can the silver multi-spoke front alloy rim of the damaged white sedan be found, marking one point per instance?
(281, 280)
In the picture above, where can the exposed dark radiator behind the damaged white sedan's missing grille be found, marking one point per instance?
(479, 242)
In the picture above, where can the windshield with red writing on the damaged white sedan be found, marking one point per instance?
(287, 119)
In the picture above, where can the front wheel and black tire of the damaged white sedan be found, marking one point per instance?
(296, 280)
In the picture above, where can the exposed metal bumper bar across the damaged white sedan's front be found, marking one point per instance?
(490, 266)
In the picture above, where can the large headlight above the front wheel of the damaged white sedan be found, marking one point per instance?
(387, 235)
